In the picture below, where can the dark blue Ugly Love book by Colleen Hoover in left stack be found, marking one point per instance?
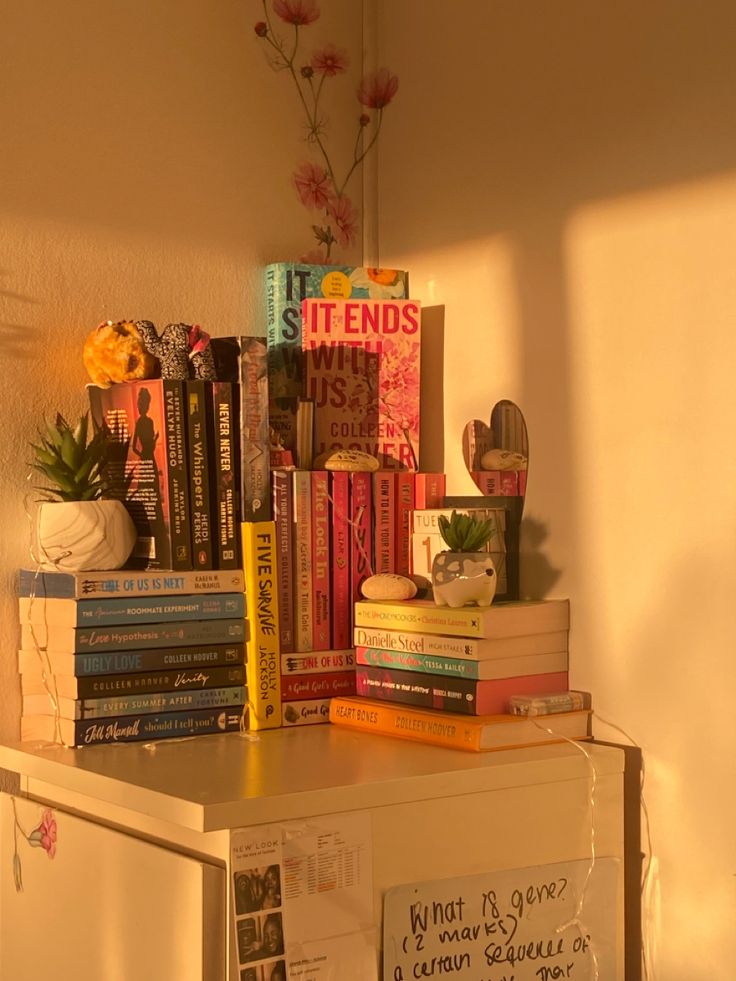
(124, 662)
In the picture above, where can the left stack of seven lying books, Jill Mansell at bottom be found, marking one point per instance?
(110, 657)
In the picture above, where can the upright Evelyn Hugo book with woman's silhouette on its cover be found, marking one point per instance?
(148, 422)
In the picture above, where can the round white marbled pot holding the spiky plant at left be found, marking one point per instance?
(82, 536)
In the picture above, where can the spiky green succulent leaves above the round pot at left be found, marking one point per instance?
(74, 465)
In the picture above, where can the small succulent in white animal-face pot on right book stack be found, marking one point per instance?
(464, 574)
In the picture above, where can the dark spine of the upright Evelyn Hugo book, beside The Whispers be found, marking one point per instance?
(176, 470)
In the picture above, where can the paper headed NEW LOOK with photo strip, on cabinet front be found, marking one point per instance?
(302, 899)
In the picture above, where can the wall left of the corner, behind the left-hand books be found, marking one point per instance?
(146, 160)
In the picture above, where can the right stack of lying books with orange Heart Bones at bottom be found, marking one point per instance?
(459, 669)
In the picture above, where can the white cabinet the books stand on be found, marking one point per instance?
(139, 885)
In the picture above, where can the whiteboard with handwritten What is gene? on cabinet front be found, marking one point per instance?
(537, 924)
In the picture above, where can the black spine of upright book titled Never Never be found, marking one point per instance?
(223, 474)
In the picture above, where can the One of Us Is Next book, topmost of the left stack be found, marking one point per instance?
(61, 585)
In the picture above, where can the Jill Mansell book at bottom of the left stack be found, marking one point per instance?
(130, 728)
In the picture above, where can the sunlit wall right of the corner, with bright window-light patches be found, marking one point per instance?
(562, 179)
